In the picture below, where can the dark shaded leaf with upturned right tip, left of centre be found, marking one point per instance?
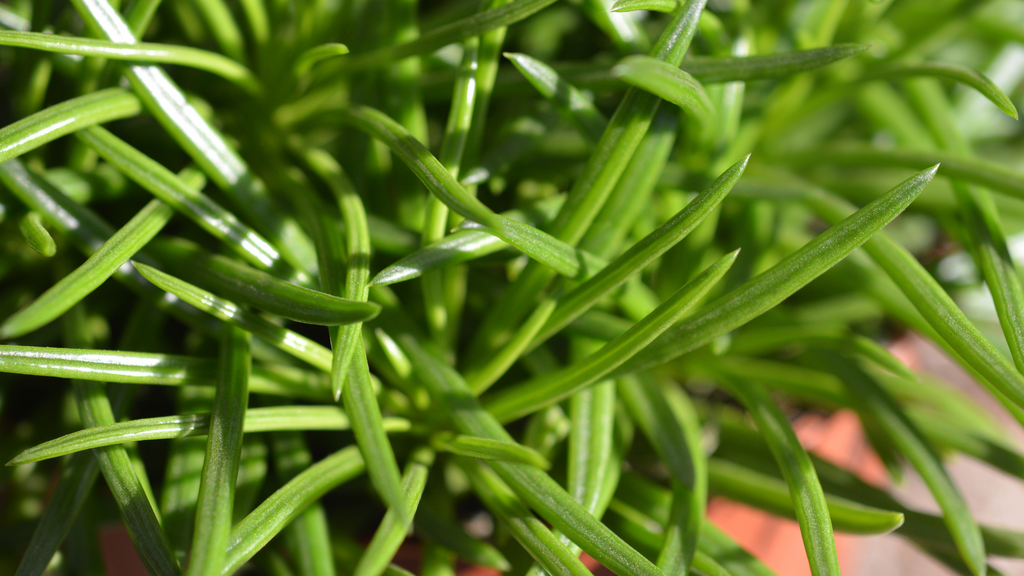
(240, 283)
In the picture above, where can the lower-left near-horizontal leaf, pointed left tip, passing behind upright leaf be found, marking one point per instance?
(189, 426)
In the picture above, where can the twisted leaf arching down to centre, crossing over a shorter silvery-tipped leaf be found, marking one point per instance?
(440, 182)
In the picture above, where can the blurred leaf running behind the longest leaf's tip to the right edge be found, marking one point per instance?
(933, 304)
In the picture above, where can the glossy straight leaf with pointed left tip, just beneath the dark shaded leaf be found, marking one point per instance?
(287, 341)
